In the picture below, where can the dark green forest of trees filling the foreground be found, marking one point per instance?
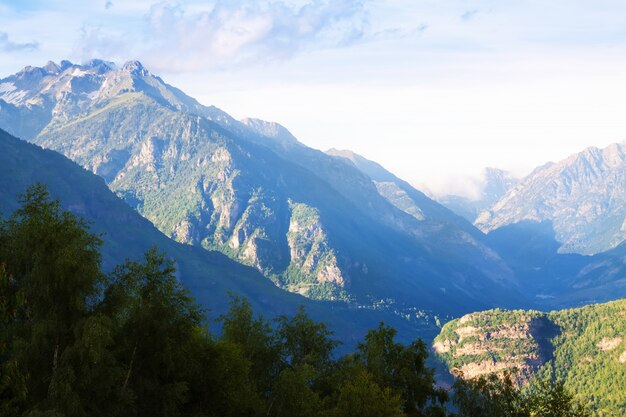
(76, 341)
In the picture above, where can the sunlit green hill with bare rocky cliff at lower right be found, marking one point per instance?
(585, 347)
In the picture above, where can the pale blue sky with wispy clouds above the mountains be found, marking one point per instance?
(433, 90)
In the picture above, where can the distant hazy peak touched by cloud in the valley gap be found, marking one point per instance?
(493, 185)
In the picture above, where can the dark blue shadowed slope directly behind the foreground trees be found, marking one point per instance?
(209, 275)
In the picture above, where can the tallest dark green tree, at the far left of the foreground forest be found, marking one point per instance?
(55, 263)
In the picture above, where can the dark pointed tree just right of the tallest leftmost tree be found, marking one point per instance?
(156, 321)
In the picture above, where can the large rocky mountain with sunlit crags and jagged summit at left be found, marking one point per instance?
(312, 223)
